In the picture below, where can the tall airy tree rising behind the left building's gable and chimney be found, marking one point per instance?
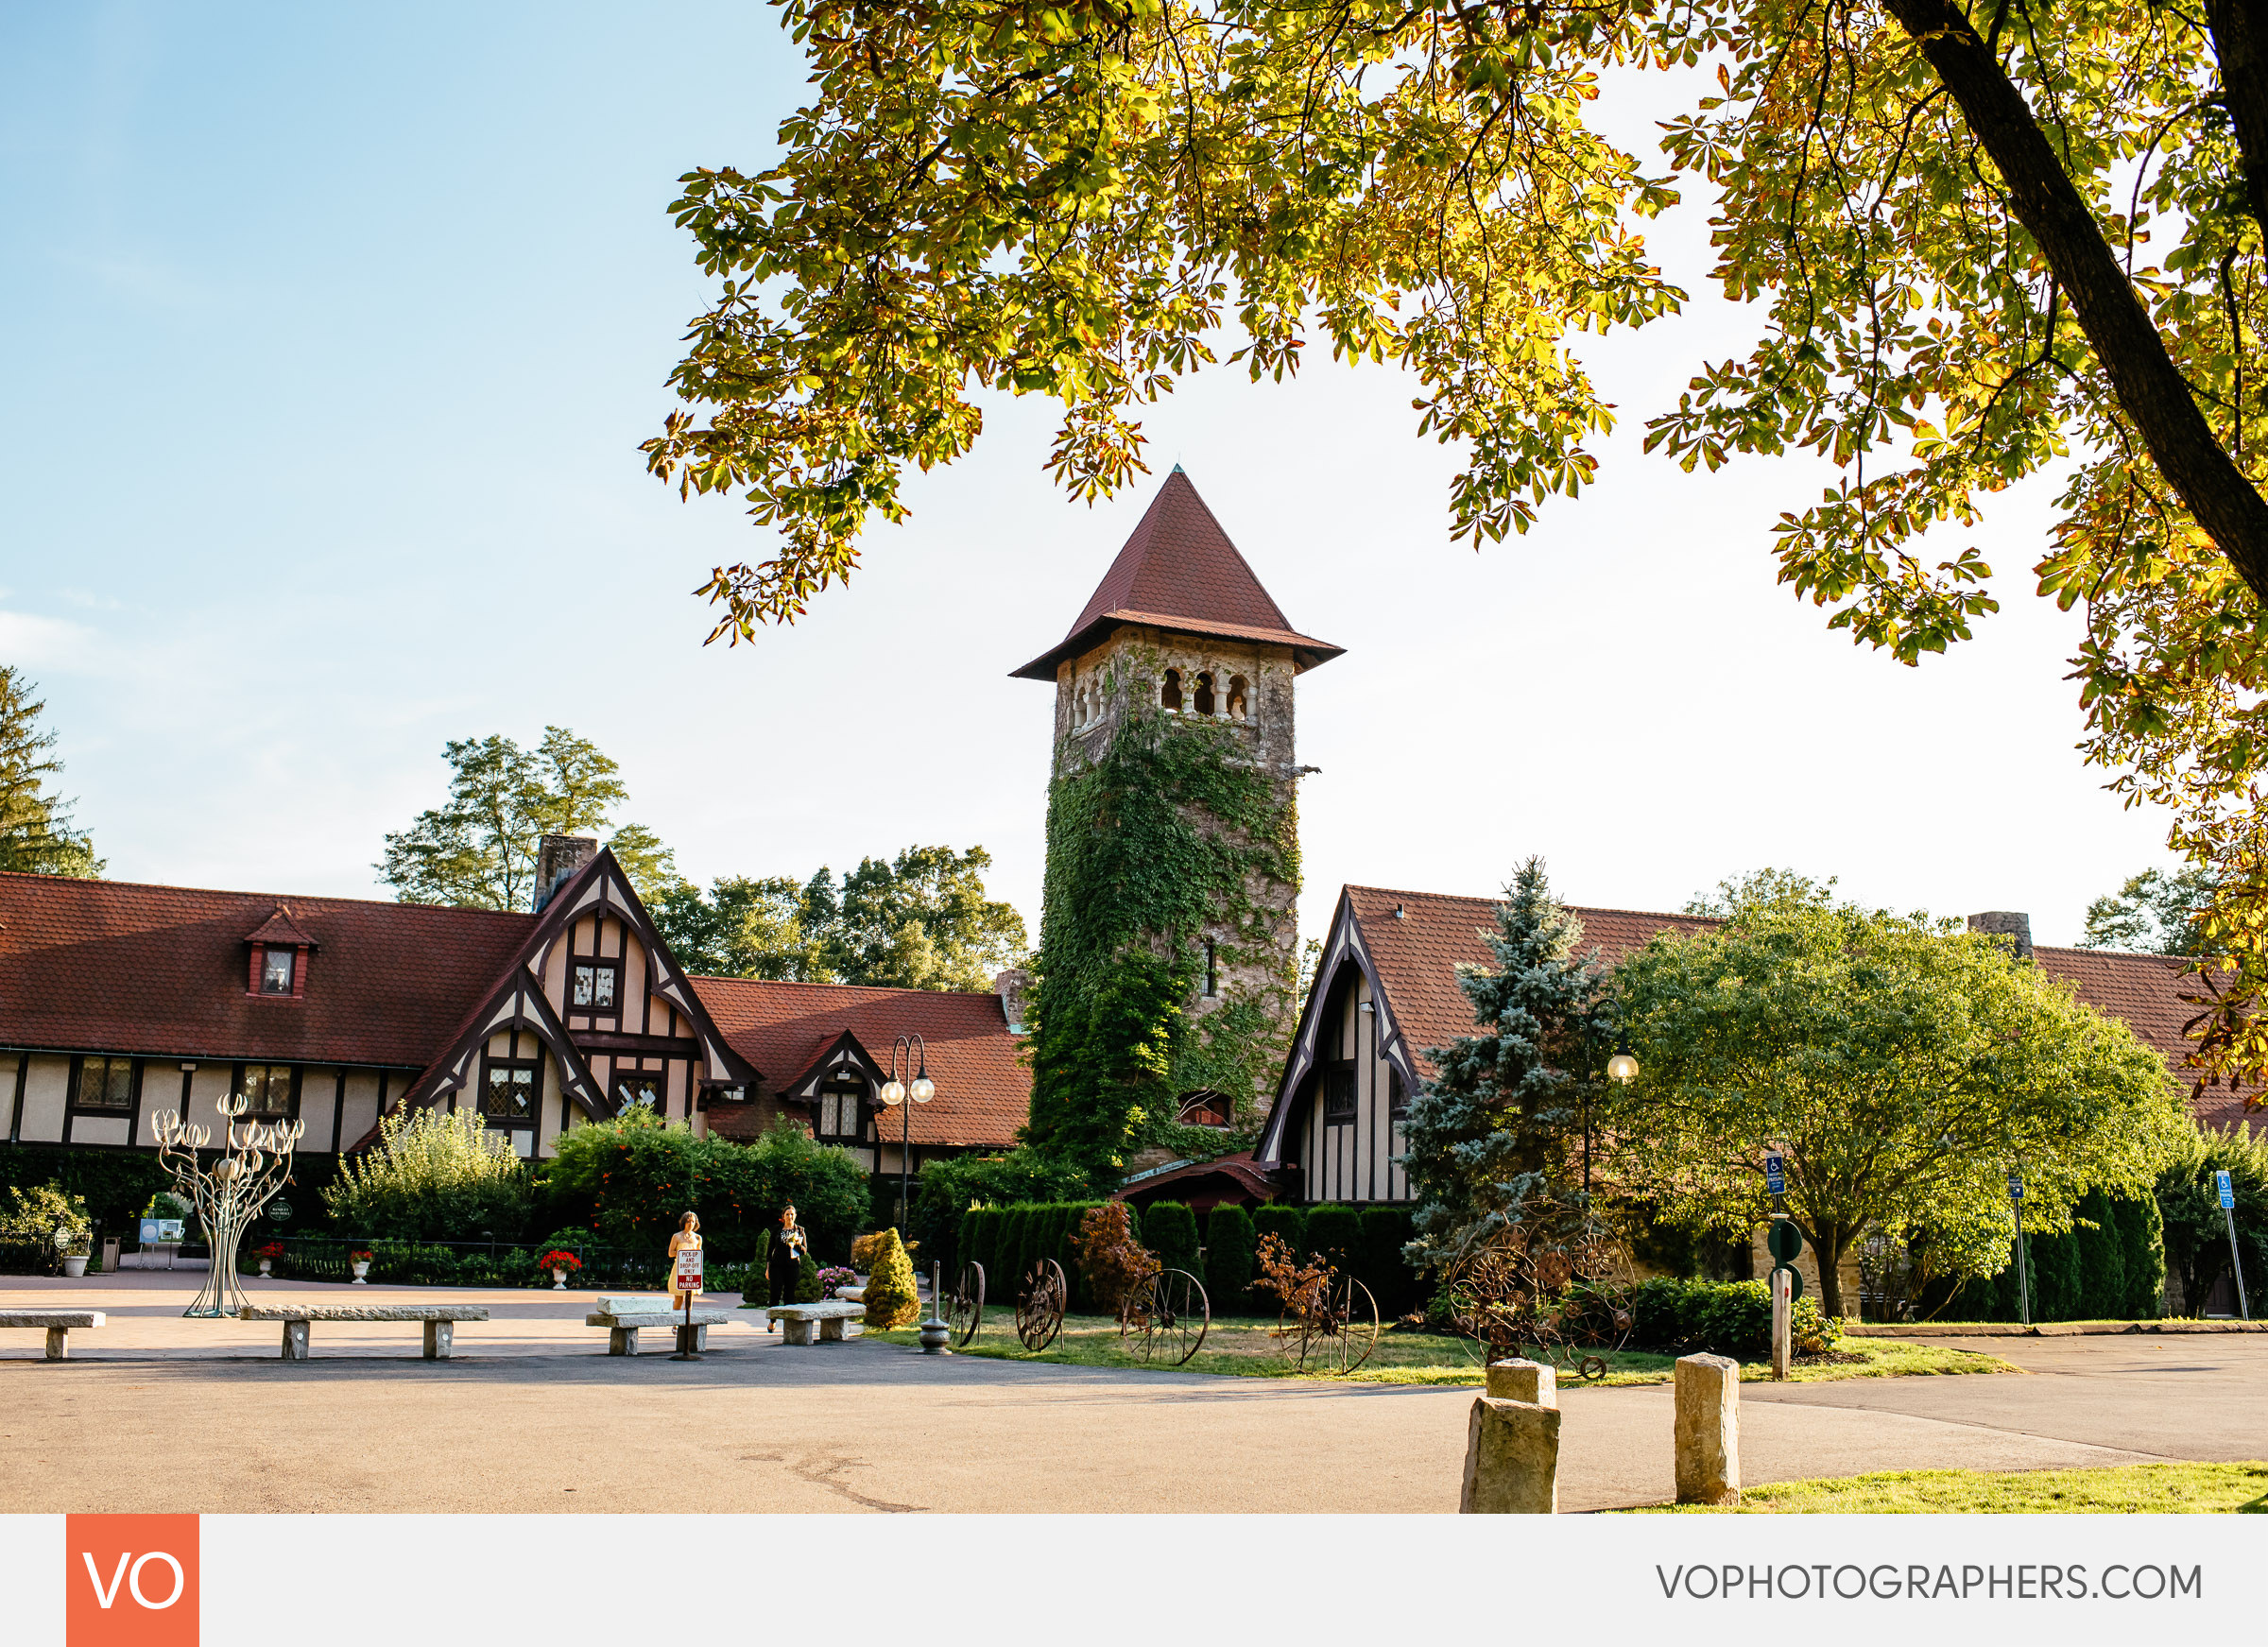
(480, 847)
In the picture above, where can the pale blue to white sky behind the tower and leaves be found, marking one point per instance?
(328, 341)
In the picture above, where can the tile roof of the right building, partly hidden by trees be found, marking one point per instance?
(1419, 958)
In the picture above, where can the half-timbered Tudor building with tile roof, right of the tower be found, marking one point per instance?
(1387, 993)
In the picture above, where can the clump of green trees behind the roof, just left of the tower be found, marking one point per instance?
(915, 922)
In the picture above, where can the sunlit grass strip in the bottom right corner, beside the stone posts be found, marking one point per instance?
(2126, 1489)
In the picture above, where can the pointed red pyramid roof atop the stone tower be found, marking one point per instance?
(1180, 573)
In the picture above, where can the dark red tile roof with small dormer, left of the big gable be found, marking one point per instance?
(121, 968)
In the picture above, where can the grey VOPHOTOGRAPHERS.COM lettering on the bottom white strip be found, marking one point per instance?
(1918, 1582)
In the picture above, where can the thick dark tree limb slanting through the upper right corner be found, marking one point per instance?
(2144, 378)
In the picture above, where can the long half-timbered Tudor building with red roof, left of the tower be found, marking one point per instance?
(119, 1002)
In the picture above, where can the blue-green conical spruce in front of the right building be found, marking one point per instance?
(1487, 1138)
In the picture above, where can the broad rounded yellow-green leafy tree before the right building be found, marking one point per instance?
(1902, 1065)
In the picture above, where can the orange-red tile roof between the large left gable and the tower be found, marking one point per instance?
(983, 1088)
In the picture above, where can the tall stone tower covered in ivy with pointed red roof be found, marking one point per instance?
(1169, 938)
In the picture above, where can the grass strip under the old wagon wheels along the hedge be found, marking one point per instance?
(1246, 1346)
